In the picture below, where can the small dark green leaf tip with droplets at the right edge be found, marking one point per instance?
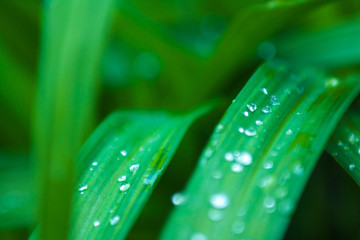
(344, 144)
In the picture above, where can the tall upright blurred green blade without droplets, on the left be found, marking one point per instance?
(73, 36)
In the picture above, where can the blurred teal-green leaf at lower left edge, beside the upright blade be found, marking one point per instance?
(17, 203)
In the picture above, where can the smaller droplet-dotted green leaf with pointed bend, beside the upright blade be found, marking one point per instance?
(120, 165)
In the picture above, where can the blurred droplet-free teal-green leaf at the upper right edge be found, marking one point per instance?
(337, 46)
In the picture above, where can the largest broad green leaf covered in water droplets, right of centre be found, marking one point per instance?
(254, 169)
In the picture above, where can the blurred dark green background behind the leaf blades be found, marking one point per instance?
(171, 55)
